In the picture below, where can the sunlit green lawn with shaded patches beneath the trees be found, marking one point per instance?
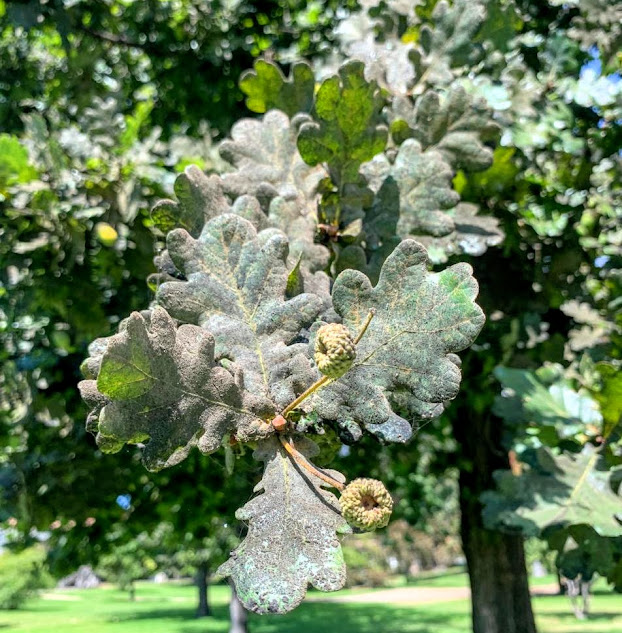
(170, 609)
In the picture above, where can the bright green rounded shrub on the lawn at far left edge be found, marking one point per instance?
(21, 575)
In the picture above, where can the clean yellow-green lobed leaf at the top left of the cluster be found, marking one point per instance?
(266, 87)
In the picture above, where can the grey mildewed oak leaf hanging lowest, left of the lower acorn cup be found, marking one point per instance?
(292, 538)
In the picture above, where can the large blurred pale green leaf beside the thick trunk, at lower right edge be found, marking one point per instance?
(556, 492)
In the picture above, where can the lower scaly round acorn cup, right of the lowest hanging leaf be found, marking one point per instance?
(366, 504)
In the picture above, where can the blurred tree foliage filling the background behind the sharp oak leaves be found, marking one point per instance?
(100, 103)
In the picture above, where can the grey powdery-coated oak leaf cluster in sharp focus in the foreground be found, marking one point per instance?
(228, 345)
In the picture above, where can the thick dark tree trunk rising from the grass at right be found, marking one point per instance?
(496, 562)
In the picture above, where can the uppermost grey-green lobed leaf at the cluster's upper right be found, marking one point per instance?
(456, 124)
